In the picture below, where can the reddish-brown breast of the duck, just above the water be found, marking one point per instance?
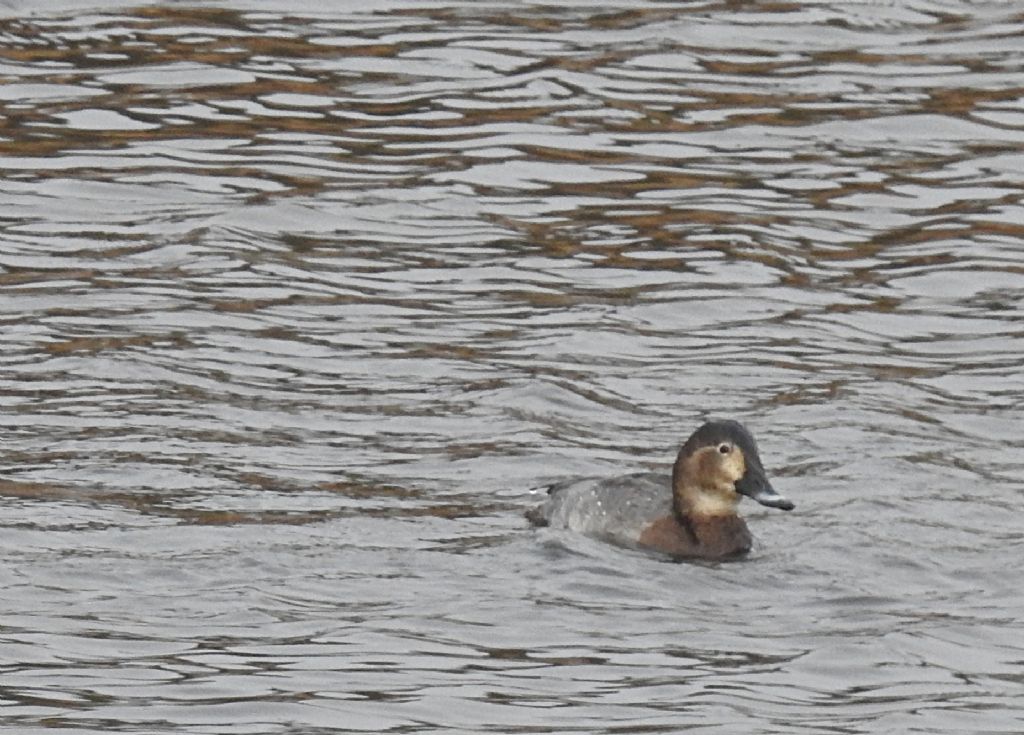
(702, 537)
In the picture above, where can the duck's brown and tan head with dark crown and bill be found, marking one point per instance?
(717, 465)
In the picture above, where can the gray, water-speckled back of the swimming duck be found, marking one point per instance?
(617, 508)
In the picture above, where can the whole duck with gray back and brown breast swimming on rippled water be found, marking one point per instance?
(693, 515)
